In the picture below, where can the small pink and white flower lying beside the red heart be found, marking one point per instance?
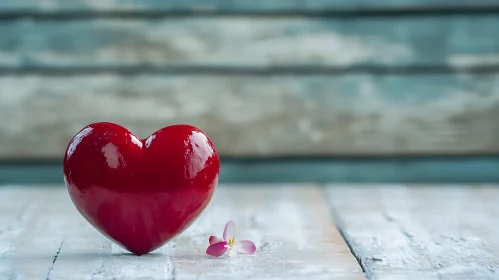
(219, 246)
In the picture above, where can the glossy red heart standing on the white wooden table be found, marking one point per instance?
(140, 193)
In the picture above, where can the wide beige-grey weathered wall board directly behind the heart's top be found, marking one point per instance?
(260, 116)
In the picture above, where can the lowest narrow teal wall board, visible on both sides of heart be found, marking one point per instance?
(358, 170)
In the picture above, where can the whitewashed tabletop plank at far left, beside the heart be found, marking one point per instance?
(39, 230)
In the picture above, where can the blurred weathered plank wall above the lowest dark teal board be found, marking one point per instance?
(262, 78)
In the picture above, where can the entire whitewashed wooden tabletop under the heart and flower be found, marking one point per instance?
(301, 232)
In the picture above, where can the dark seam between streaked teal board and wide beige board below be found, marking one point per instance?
(216, 70)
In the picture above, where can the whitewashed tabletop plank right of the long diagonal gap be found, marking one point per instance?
(420, 232)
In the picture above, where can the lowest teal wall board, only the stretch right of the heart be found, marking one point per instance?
(417, 170)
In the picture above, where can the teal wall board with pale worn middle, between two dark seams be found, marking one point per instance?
(462, 41)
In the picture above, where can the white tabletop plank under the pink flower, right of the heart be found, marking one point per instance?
(291, 226)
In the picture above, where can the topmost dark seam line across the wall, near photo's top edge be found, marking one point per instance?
(424, 11)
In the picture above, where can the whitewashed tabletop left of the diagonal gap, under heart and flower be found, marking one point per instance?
(43, 237)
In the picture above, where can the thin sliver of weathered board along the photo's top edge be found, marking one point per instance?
(229, 5)
